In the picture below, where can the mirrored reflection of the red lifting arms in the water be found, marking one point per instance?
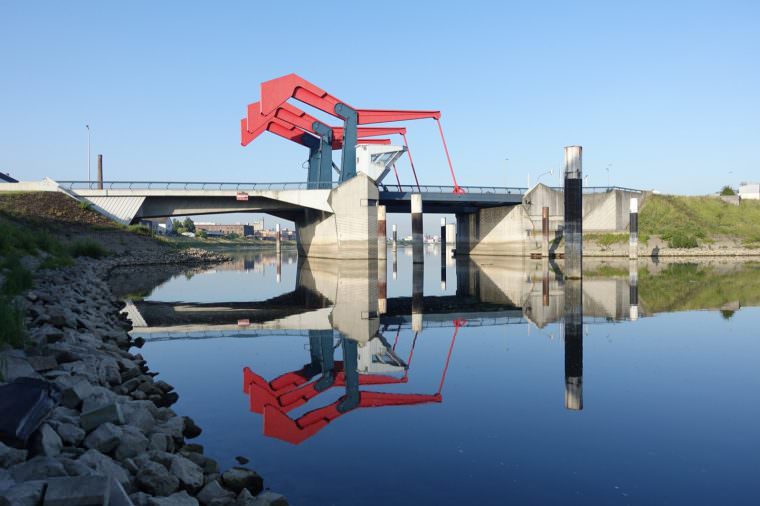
(274, 399)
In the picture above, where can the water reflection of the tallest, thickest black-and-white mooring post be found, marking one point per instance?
(573, 344)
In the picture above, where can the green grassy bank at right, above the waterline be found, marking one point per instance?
(687, 222)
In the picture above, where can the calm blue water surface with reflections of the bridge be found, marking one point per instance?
(484, 389)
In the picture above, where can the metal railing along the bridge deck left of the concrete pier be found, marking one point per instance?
(192, 185)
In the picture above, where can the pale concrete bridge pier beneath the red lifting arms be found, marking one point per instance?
(350, 232)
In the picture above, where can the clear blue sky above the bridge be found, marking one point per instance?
(666, 92)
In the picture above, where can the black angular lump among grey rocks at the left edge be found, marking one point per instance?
(24, 404)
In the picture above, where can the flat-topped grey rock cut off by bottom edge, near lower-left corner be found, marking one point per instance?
(85, 491)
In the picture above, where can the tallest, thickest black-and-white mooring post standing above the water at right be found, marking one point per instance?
(573, 232)
